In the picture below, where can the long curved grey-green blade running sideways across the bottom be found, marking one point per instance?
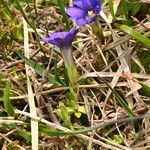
(43, 128)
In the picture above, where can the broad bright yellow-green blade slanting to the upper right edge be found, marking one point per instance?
(134, 34)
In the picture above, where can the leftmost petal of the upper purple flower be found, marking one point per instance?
(75, 12)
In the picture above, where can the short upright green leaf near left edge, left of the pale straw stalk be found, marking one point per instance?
(7, 104)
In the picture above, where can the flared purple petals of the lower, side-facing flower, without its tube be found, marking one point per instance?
(61, 39)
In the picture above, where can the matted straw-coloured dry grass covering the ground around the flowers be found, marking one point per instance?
(116, 57)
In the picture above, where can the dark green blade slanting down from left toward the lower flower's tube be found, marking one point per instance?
(38, 69)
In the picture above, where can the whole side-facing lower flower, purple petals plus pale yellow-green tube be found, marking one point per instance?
(63, 40)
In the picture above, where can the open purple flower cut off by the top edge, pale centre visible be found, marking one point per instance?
(81, 9)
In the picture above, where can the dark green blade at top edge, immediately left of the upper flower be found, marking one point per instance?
(61, 5)
